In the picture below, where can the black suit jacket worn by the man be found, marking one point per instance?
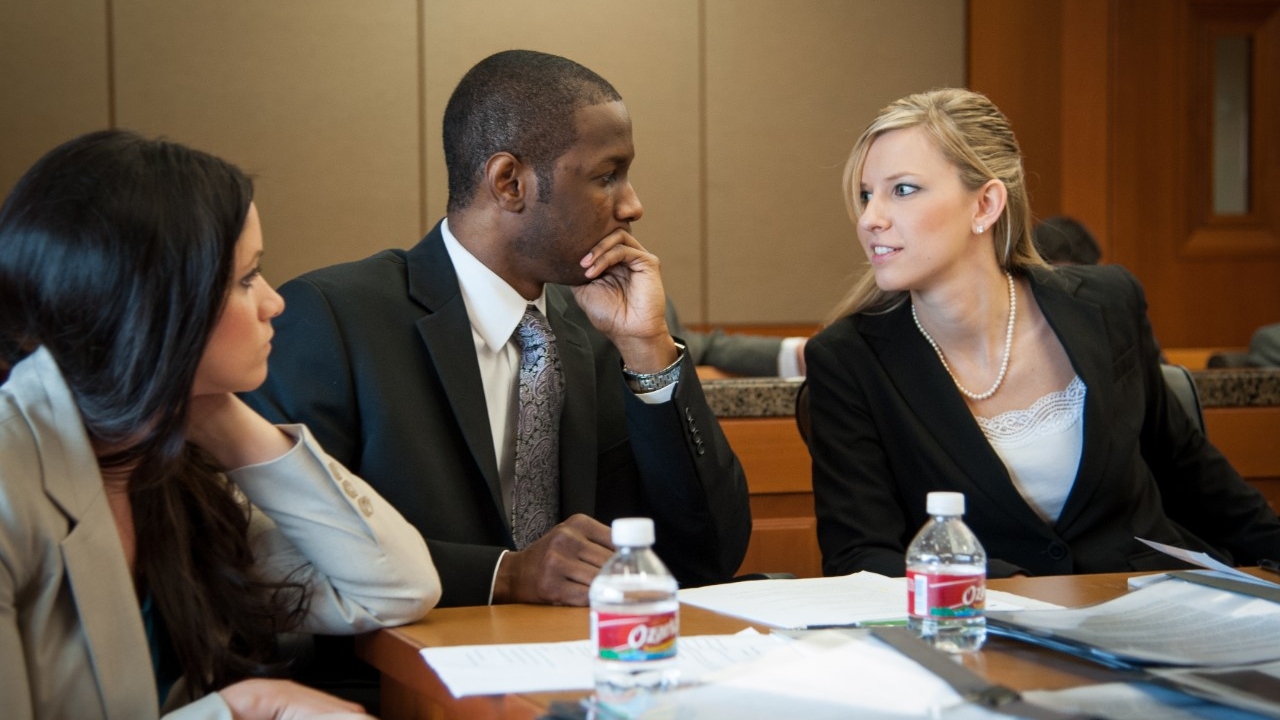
(378, 359)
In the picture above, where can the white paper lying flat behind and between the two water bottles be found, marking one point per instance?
(812, 603)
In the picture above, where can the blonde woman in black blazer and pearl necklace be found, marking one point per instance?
(962, 362)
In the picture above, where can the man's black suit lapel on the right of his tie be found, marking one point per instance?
(578, 421)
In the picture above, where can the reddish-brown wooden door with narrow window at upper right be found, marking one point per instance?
(1212, 279)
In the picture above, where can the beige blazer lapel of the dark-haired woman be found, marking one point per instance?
(93, 557)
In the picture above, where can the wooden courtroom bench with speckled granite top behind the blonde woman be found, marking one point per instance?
(1242, 418)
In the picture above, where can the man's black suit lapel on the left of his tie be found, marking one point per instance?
(446, 331)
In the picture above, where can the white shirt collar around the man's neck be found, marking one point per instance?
(493, 307)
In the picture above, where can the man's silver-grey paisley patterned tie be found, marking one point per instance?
(536, 493)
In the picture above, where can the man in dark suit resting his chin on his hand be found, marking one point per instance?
(406, 367)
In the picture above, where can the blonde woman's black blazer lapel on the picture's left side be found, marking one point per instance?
(929, 390)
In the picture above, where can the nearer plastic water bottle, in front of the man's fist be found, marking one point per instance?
(636, 622)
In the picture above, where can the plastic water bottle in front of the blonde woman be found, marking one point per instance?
(947, 580)
